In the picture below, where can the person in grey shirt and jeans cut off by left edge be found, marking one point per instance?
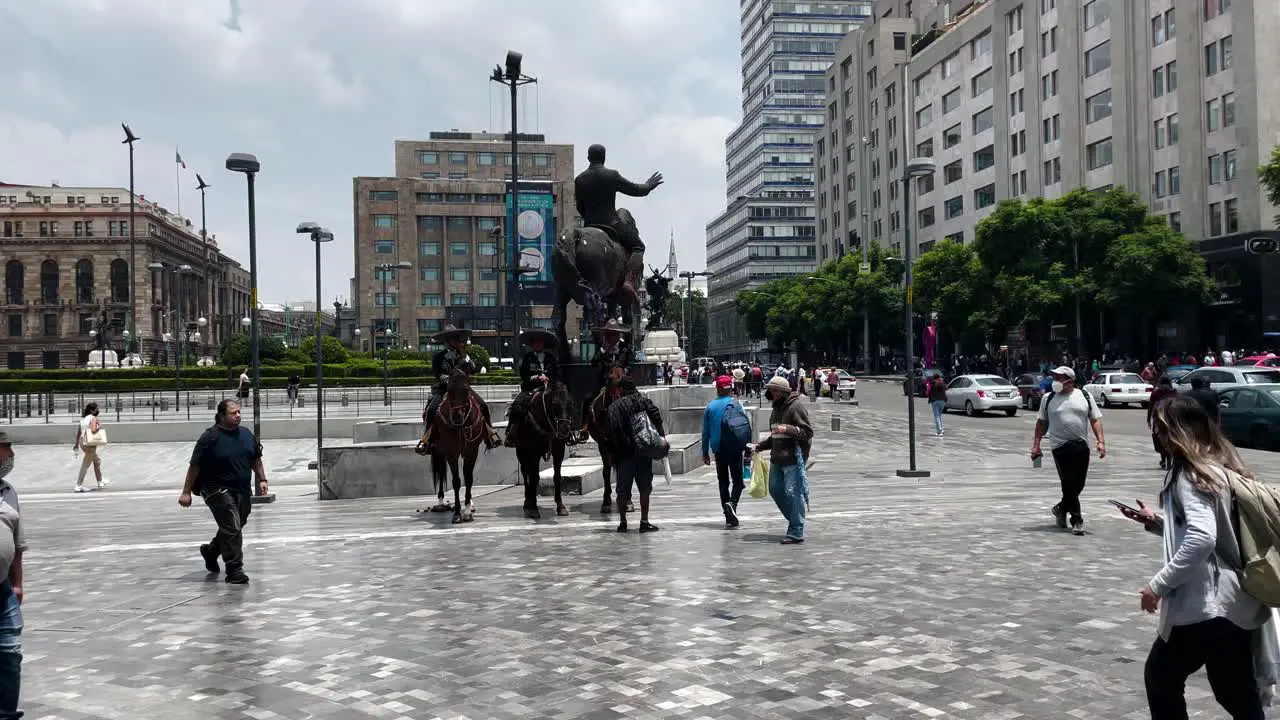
(13, 544)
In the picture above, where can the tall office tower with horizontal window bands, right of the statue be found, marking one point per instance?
(767, 230)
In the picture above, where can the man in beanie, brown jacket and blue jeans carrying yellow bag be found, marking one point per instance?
(789, 444)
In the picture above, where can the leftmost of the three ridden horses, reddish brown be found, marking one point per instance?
(460, 429)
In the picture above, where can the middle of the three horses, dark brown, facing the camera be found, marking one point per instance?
(547, 429)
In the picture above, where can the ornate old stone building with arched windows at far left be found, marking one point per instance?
(66, 259)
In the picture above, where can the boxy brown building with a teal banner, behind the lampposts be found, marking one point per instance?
(447, 215)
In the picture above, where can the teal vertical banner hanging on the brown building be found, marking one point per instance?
(536, 240)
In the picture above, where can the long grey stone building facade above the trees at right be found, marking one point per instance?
(1036, 98)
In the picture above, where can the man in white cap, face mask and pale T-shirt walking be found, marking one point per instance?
(1066, 417)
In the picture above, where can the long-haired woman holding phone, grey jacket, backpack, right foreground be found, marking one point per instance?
(1205, 618)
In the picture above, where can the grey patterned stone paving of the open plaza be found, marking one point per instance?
(947, 598)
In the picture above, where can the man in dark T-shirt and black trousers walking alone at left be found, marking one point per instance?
(221, 466)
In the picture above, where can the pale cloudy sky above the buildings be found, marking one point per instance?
(321, 89)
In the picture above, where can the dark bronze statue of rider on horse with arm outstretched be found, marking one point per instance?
(600, 265)
